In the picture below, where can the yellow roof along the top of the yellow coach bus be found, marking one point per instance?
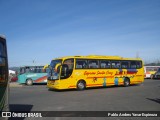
(99, 57)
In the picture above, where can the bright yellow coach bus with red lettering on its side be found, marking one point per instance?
(82, 72)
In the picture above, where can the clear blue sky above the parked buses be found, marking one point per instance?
(41, 30)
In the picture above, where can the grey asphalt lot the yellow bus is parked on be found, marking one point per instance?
(143, 97)
